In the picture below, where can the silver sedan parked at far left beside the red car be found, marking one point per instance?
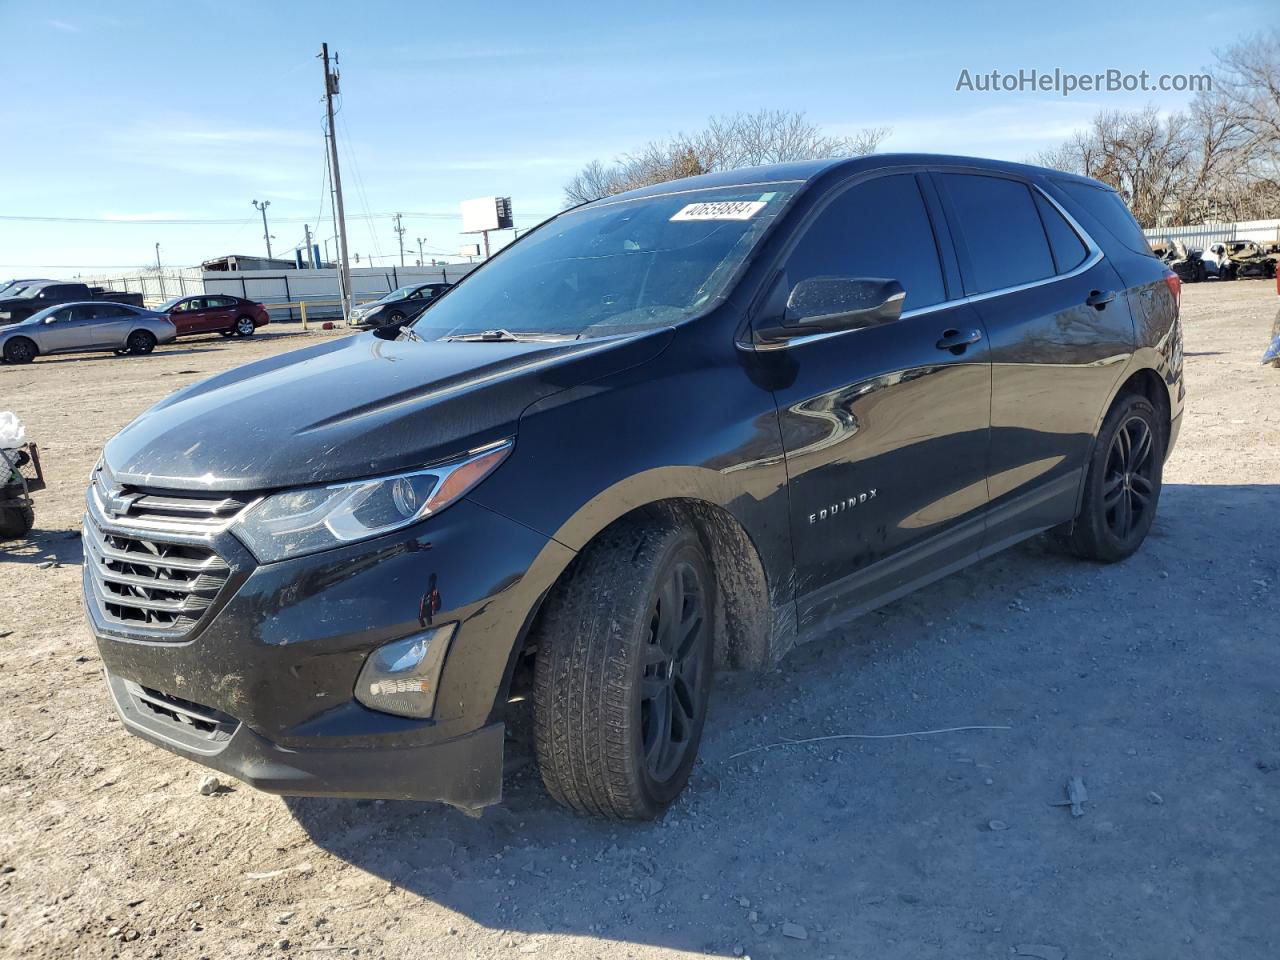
(92, 326)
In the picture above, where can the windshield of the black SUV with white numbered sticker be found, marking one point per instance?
(614, 267)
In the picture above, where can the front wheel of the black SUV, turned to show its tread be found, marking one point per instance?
(623, 674)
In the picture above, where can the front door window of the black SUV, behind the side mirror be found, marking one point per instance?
(879, 228)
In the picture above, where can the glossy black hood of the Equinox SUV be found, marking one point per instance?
(353, 408)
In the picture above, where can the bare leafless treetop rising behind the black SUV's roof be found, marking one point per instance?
(724, 144)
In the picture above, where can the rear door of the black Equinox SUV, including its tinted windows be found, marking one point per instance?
(1060, 331)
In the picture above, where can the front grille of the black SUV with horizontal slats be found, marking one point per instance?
(149, 555)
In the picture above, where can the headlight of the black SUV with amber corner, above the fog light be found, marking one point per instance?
(314, 519)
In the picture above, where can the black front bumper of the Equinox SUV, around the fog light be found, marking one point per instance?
(263, 687)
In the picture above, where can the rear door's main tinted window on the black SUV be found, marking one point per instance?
(999, 232)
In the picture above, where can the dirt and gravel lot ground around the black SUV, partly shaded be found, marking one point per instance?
(1158, 682)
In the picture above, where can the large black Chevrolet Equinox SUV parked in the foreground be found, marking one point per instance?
(670, 432)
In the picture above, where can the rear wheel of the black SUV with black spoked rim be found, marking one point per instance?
(1122, 491)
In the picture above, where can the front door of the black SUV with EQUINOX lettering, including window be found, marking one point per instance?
(885, 428)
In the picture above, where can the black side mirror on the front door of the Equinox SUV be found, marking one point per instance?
(833, 304)
